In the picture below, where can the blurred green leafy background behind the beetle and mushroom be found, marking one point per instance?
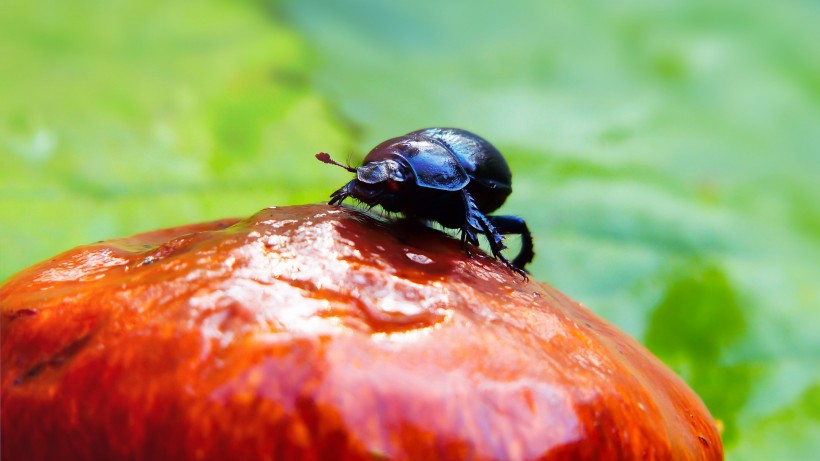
(666, 154)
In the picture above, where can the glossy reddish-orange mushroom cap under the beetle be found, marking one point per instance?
(314, 332)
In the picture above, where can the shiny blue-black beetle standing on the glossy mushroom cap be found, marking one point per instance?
(446, 175)
